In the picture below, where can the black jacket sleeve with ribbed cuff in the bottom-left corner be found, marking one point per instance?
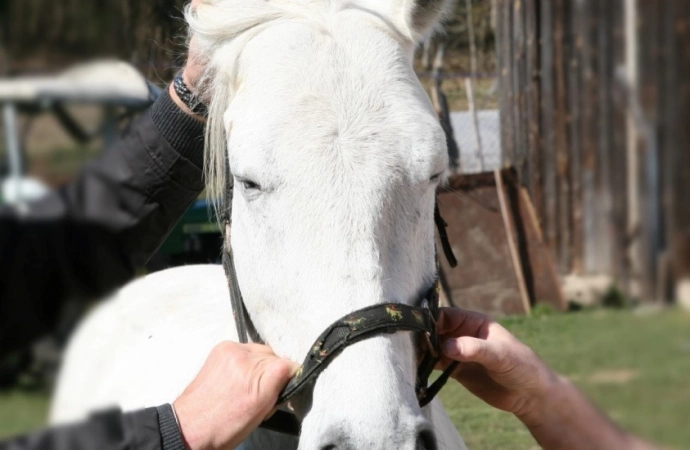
(148, 429)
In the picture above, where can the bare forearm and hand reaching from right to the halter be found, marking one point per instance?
(506, 374)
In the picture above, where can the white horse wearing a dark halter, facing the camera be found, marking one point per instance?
(336, 154)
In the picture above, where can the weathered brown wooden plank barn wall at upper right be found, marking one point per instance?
(595, 117)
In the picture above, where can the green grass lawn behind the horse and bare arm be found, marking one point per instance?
(635, 366)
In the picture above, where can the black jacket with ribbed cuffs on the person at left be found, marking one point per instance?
(87, 239)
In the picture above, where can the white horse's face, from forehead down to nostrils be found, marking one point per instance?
(336, 153)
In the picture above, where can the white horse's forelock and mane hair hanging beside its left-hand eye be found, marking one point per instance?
(222, 28)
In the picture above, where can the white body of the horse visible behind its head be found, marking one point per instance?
(144, 345)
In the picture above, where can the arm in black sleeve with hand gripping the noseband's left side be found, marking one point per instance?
(236, 390)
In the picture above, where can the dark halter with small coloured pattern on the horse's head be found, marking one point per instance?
(354, 327)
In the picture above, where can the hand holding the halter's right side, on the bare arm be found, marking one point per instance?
(496, 367)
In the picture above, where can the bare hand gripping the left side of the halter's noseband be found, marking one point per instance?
(236, 390)
